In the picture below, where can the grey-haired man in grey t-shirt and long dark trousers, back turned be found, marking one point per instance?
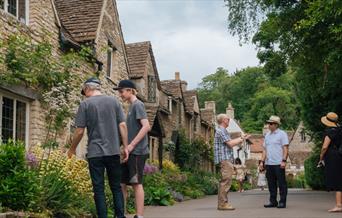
(104, 119)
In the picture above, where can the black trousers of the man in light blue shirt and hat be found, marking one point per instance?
(276, 179)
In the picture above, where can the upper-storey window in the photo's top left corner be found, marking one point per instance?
(18, 8)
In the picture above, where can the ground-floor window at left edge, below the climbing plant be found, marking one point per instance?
(13, 123)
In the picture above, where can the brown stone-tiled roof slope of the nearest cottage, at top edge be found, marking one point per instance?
(80, 18)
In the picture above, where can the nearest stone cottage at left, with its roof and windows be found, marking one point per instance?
(65, 25)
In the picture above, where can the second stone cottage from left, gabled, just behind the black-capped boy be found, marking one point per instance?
(145, 75)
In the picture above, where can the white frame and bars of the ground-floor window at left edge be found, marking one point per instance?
(15, 99)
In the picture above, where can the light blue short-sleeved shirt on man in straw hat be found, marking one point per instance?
(274, 143)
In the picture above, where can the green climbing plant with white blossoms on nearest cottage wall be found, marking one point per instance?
(35, 65)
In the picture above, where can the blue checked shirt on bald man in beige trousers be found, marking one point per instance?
(221, 150)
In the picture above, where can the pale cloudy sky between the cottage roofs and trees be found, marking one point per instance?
(187, 36)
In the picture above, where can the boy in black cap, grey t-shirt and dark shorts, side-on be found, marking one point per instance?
(138, 127)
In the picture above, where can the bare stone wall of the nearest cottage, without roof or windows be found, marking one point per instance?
(43, 27)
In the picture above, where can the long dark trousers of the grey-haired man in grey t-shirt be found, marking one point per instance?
(97, 166)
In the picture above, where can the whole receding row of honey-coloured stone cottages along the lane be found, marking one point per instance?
(68, 25)
